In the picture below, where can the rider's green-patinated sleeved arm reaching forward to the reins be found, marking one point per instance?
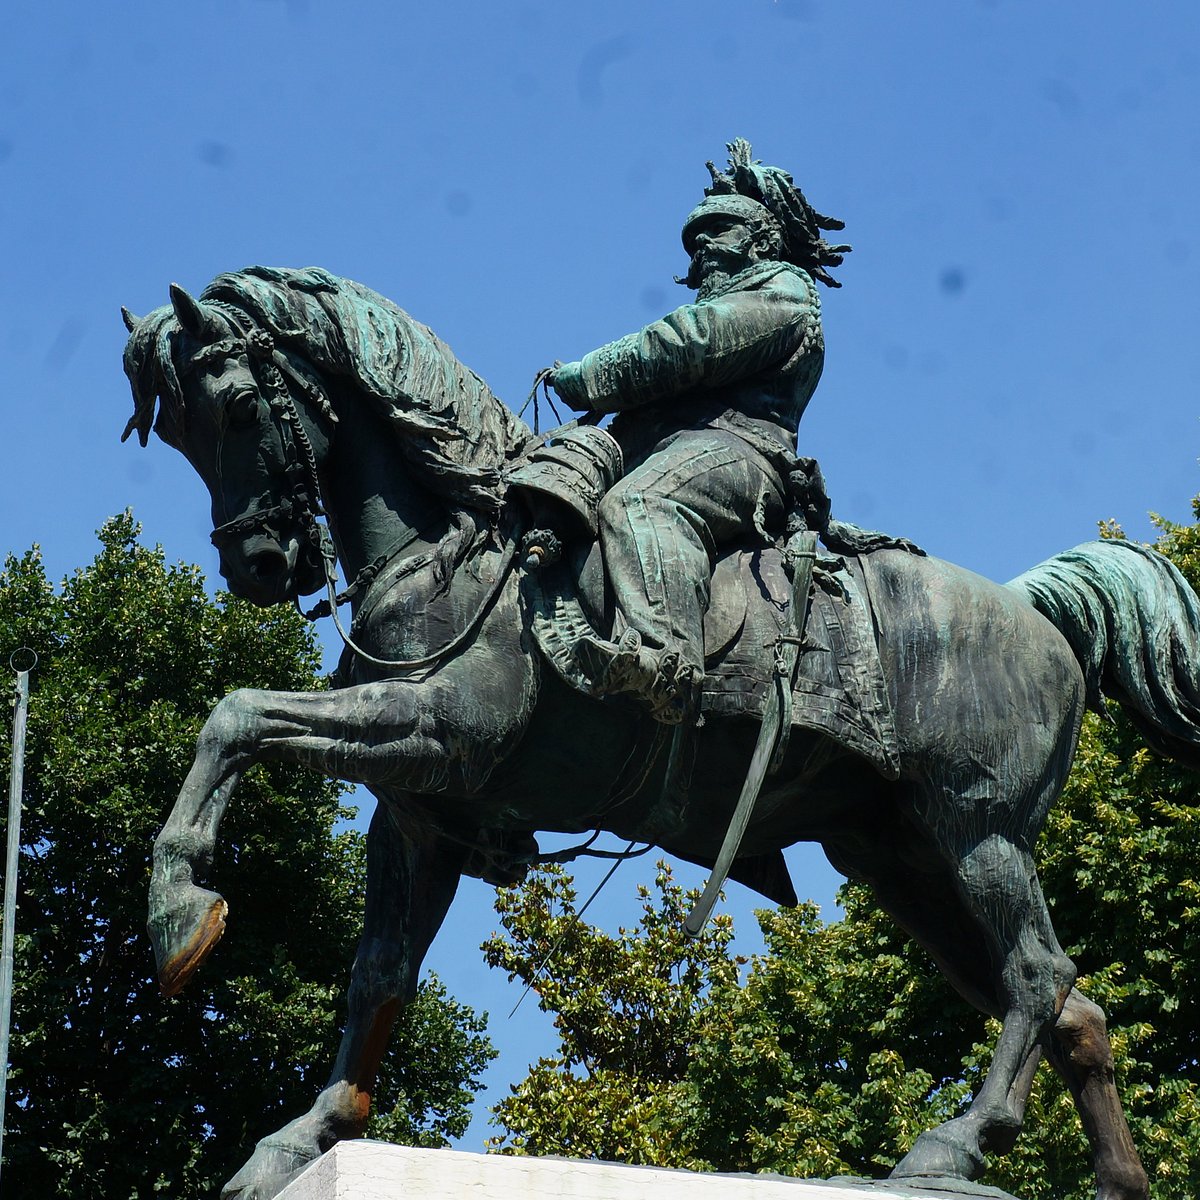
(699, 346)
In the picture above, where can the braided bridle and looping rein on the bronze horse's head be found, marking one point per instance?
(303, 507)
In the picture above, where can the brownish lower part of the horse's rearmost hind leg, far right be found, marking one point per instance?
(1081, 1052)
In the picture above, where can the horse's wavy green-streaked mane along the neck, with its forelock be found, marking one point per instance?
(449, 425)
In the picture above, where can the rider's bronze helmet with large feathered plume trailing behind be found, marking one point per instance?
(767, 199)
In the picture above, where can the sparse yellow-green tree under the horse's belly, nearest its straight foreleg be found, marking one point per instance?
(626, 1012)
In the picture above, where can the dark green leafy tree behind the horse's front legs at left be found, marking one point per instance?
(116, 1093)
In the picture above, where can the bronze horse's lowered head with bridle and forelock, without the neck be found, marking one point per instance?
(254, 422)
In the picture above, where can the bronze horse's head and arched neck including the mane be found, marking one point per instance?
(244, 381)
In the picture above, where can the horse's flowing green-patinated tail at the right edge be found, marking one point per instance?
(1135, 626)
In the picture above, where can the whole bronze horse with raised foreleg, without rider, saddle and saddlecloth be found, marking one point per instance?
(295, 393)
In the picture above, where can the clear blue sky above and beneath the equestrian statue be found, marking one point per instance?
(1011, 359)
